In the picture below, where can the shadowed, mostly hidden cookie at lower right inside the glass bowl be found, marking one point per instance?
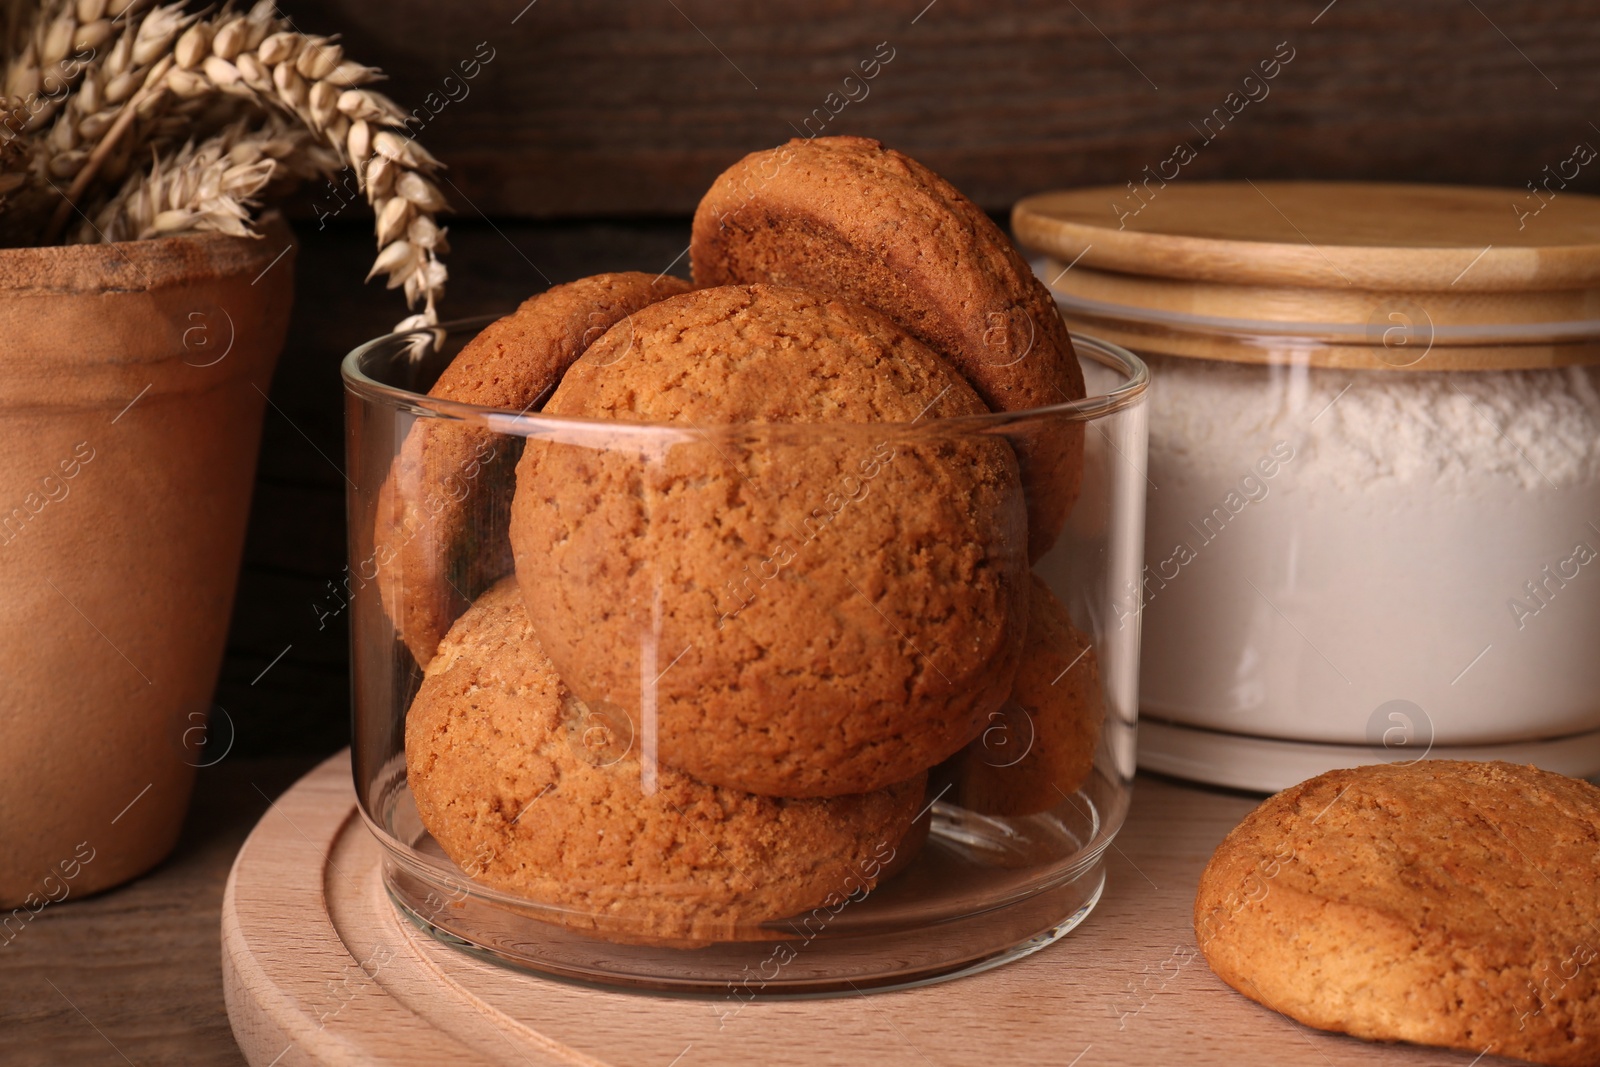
(1039, 748)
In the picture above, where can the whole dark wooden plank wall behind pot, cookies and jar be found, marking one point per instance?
(588, 138)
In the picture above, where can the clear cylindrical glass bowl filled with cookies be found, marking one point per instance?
(876, 594)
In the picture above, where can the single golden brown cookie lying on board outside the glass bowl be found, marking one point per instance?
(1441, 903)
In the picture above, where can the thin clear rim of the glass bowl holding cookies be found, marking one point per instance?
(505, 420)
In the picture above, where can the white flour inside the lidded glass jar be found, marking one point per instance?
(1322, 543)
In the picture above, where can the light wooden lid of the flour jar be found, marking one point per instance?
(1332, 274)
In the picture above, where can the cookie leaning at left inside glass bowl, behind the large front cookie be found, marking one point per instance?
(441, 532)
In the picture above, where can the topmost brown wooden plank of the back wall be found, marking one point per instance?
(604, 108)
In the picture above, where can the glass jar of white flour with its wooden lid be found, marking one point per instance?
(1374, 503)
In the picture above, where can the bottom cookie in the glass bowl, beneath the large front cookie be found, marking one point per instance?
(519, 786)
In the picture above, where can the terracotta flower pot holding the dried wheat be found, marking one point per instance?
(134, 380)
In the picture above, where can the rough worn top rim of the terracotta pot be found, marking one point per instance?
(145, 265)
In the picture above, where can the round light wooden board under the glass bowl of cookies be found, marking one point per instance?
(321, 970)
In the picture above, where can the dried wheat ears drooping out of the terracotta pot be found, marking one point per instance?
(130, 121)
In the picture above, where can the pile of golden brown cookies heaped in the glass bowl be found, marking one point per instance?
(692, 652)
